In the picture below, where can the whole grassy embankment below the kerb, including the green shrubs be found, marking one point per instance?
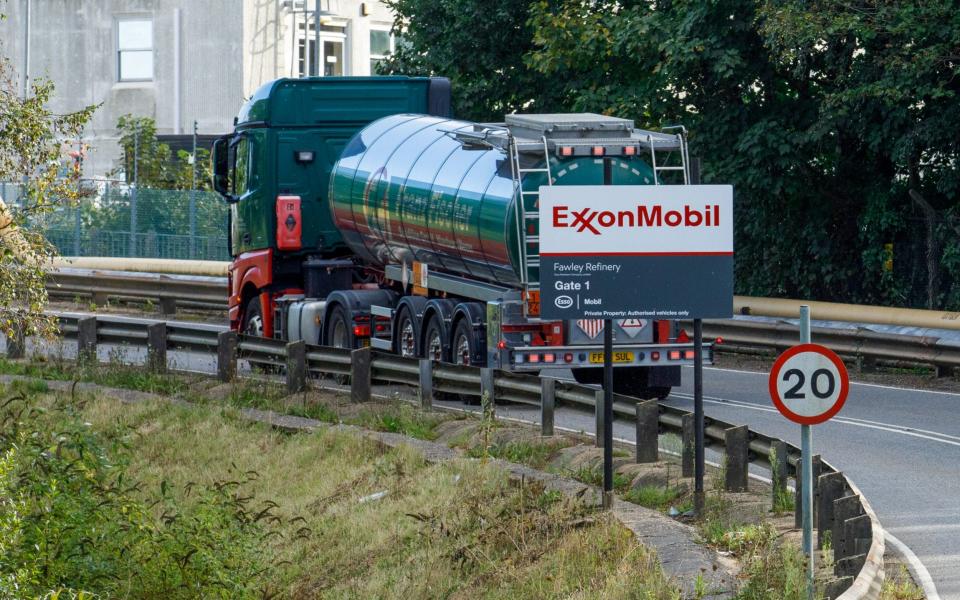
(154, 500)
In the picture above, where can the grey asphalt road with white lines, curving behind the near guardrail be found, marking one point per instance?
(900, 446)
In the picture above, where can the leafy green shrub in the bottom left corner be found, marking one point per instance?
(73, 522)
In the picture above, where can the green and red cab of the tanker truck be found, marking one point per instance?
(287, 137)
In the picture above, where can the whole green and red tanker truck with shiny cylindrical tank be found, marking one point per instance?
(363, 215)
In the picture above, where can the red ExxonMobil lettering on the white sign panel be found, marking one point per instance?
(593, 221)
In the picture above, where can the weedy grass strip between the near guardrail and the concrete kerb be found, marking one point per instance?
(772, 566)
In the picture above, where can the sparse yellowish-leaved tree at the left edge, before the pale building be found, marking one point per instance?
(32, 151)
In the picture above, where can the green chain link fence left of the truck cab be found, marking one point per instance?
(116, 219)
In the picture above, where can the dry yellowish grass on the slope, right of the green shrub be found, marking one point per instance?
(454, 530)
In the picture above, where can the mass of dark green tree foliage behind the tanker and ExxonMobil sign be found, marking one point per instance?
(837, 123)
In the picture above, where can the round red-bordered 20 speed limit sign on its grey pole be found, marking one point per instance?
(808, 384)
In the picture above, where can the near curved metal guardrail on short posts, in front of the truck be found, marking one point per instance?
(857, 536)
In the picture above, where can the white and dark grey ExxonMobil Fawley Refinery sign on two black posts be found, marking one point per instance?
(636, 253)
